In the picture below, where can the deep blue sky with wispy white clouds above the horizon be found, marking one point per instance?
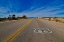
(32, 8)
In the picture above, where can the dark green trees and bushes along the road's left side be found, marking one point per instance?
(12, 17)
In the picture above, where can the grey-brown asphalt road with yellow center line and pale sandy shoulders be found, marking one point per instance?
(23, 31)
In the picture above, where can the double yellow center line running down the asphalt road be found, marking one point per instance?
(10, 38)
